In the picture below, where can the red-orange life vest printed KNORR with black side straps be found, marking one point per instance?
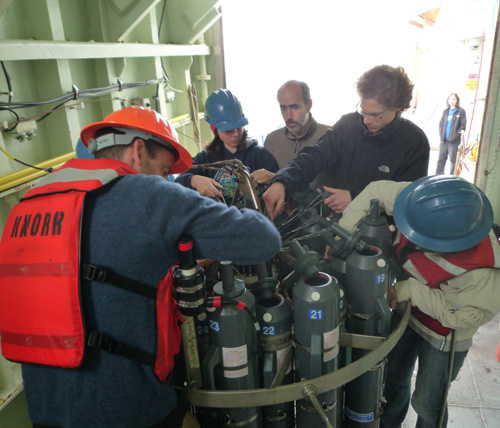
(41, 318)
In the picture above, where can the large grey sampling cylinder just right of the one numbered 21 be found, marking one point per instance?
(369, 314)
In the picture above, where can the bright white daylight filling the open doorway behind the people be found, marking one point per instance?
(330, 44)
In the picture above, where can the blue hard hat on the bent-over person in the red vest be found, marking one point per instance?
(443, 213)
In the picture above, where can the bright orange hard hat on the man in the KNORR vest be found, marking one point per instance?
(146, 120)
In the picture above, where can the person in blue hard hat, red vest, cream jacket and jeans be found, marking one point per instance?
(449, 256)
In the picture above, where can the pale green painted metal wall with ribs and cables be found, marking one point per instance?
(51, 47)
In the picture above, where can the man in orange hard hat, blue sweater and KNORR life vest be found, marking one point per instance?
(85, 286)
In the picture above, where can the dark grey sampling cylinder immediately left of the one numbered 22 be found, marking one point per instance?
(231, 362)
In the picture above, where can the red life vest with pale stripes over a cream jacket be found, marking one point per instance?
(434, 270)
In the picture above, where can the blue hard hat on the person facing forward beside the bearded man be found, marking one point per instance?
(223, 110)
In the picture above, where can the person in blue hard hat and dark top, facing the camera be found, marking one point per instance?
(224, 113)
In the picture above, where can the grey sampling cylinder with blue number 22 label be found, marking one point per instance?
(275, 318)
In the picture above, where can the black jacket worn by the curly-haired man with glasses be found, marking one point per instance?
(355, 157)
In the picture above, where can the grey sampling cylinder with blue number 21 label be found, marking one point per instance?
(316, 333)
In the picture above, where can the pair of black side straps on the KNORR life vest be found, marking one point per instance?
(103, 340)
